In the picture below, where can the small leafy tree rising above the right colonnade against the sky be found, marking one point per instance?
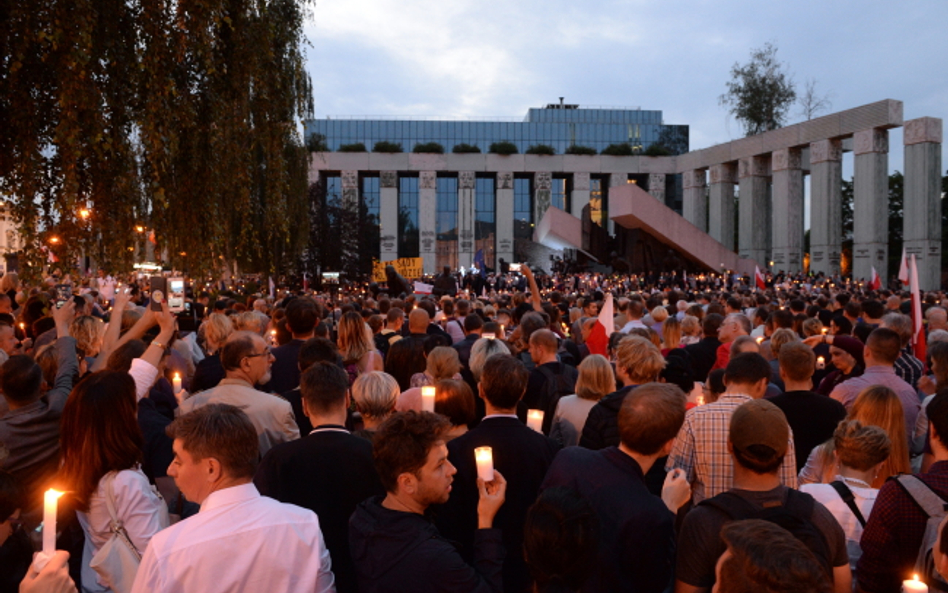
(760, 92)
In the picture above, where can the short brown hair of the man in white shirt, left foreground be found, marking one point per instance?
(219, 431)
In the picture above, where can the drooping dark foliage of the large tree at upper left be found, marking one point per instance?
(181, 117)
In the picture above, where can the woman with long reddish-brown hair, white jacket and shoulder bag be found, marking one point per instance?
(102, 449)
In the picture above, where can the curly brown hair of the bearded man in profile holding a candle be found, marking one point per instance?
(402, 443)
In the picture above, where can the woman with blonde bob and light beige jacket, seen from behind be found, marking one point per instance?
(596, 380)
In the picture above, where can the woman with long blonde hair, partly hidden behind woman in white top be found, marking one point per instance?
(874, 406)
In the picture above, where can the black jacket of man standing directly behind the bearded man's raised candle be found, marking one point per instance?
(522, 455)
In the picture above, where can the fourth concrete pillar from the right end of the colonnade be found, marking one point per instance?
(787, 210)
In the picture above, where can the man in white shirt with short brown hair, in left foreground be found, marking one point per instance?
(239, 541)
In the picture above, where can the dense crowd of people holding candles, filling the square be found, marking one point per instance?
(724, 438)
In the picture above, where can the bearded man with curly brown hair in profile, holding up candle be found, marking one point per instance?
(394, 546)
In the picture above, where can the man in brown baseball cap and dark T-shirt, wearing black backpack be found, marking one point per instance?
(758, 440)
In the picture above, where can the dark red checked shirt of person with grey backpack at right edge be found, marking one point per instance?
(894, 533)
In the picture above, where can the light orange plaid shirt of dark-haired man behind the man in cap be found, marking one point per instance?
(701, 449)
